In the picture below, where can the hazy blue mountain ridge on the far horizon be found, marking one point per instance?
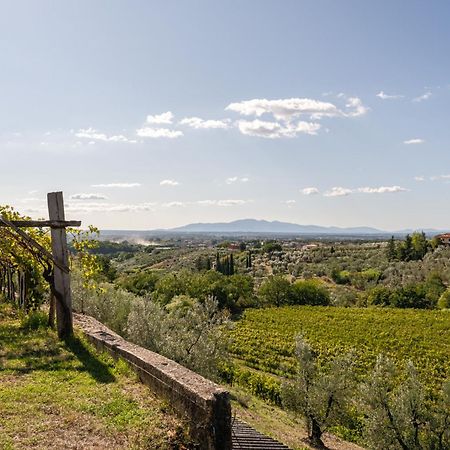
(265, 226)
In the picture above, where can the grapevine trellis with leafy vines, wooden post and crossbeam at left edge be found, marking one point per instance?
(20, 250)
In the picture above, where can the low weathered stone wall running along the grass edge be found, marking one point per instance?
(205, 405)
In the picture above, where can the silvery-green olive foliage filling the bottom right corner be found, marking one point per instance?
(400, 415)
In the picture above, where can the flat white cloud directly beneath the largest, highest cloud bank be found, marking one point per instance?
(272, 130)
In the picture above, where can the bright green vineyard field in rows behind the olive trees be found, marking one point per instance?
(264, 340)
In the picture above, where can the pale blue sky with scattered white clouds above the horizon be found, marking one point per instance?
(155, 114)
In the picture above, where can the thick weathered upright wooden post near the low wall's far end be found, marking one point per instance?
(63, 294)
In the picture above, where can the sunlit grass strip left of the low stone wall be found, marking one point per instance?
(57, 394)
